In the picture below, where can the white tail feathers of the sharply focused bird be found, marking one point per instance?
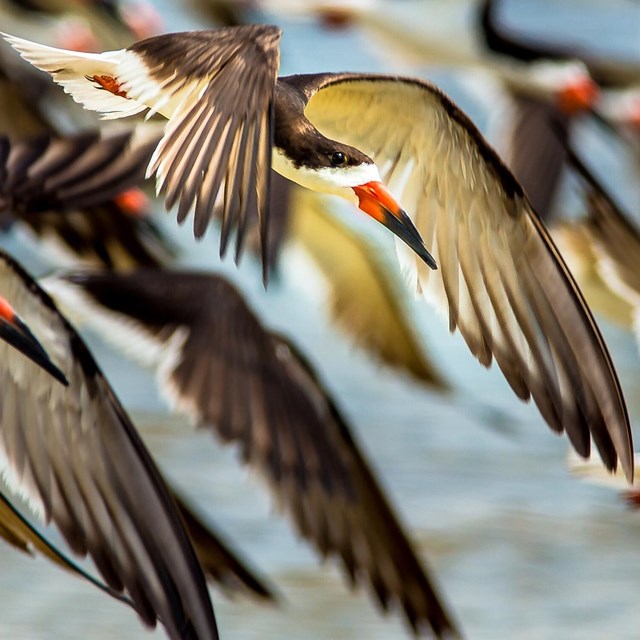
(75, 71)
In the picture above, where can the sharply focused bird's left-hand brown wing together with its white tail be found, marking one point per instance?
(215, 87)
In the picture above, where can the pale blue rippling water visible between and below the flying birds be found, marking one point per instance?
(520, 548)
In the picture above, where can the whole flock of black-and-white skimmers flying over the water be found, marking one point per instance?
(225, 137)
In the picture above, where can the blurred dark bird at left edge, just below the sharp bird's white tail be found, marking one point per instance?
(79, 194)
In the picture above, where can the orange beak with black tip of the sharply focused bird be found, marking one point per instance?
(376, 201)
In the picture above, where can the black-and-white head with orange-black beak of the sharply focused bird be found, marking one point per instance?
(339, 169)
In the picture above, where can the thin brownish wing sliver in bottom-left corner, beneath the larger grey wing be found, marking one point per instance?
(19, 533)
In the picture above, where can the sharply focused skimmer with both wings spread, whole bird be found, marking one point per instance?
(500, 278)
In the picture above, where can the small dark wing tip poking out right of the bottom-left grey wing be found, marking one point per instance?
(219, 562)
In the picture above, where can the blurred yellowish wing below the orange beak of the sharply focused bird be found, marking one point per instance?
(365, 302)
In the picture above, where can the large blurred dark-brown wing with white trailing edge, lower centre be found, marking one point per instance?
(217, 364)
